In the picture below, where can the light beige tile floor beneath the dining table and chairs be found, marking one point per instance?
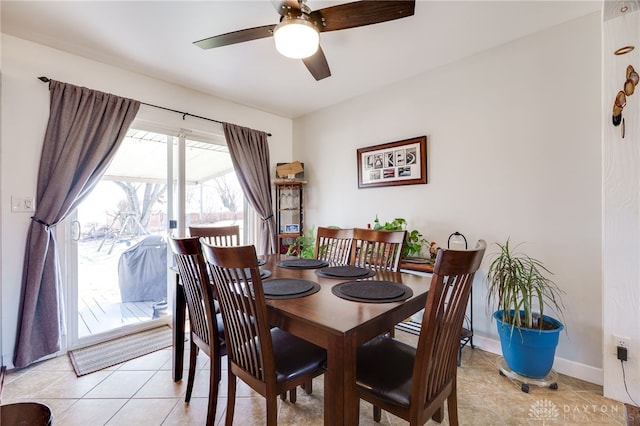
(141, 392)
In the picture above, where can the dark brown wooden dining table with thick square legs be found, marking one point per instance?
(336, 324)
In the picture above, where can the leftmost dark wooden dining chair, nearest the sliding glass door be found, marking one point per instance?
(205, 333)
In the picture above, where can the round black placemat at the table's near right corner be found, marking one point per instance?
(372, 291)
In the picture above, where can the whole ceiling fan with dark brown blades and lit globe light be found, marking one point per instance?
(297, 34)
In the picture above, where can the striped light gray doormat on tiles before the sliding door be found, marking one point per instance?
(102, 355)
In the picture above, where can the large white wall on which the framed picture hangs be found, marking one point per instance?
(514, 151)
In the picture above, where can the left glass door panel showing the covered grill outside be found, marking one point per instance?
(121, 247)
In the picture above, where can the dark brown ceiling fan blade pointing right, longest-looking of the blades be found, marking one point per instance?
(360, 13)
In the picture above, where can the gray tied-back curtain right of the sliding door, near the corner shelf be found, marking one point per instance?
(249, 152)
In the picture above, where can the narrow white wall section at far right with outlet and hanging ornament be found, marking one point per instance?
(621, 203)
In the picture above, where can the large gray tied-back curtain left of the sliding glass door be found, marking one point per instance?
(84, 131)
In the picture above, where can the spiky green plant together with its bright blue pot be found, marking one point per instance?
(519, 288)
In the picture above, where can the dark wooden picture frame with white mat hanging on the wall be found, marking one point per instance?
(395, 163)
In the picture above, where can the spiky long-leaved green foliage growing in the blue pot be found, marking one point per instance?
(517, 282)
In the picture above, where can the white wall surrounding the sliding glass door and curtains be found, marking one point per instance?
(25, 111)
